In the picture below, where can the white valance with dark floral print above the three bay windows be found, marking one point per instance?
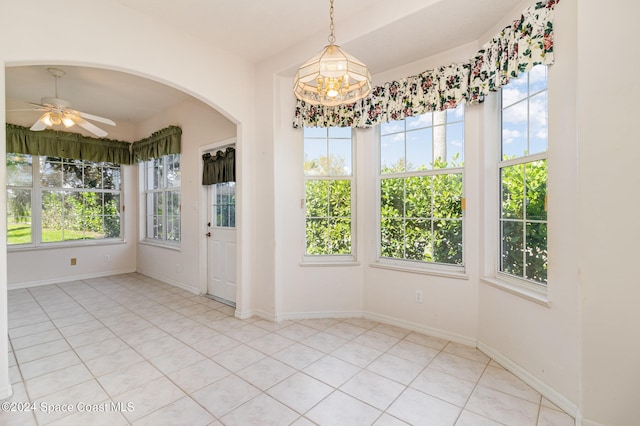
(516, 49)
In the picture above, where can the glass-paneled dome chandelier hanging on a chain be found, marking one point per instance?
(332, 77)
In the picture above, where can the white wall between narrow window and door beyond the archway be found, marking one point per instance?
(201, 126)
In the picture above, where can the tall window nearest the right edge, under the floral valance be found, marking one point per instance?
(523, 178)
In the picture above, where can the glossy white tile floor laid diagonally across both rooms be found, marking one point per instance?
(128, 349)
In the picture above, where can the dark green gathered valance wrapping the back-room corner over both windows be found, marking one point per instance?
(54, 143)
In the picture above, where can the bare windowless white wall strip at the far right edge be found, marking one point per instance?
(609, 232)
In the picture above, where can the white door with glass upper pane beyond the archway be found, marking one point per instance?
(221, 233)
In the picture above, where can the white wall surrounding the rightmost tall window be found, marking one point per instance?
(541, 343)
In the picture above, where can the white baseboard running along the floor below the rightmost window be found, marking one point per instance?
(545, 390)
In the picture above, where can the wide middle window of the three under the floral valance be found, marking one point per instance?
(421, 190)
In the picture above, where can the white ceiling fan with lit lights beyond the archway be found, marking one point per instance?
(58, 111)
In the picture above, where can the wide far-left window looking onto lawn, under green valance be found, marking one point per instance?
(61, 199)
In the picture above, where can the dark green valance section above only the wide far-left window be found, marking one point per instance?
(54, 143)
